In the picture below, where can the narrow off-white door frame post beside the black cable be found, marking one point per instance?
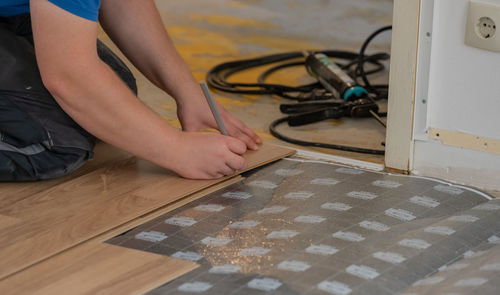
(402, 85)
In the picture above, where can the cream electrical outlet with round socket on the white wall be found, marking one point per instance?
(482, 21)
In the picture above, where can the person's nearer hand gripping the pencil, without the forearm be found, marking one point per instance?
(203, 155)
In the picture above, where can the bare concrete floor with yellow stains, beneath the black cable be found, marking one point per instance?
(211, 32)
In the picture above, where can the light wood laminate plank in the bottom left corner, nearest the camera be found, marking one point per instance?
(96, 268)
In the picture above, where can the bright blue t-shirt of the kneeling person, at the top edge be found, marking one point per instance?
(88, 9)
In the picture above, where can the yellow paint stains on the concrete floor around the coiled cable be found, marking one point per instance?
(202, 49)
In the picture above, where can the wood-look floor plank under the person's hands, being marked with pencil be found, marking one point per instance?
(82, 208)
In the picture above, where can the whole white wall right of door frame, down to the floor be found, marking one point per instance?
(459, 92)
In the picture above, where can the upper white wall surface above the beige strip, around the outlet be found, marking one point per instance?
(464, 84)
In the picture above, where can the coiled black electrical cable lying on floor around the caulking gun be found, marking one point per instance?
(354, 65)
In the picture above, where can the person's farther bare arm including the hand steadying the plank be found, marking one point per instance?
(135, 26)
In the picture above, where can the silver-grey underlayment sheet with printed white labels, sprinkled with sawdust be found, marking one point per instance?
(302, 227)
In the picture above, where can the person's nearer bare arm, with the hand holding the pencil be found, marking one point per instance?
(93, 95)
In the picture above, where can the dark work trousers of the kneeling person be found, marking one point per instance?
(38, 140)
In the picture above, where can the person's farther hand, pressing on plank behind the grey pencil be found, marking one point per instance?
(196, 116)
